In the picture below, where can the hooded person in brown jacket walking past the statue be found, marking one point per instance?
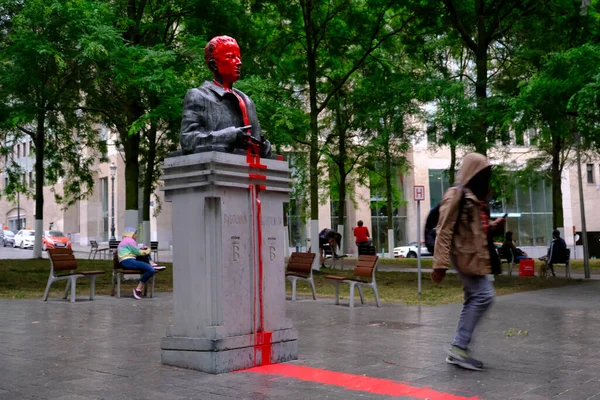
(464, 239)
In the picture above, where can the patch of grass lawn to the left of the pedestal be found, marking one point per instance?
(21, 279)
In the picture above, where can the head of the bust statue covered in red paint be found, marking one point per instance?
(222, 55)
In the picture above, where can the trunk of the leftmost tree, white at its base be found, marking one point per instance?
(40, 140)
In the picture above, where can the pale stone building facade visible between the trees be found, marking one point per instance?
(529, 208)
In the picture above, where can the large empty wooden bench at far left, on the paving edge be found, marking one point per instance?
(63, 260)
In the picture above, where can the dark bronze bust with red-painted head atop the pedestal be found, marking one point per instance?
(217, 117)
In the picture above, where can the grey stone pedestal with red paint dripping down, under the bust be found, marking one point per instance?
(228, 263)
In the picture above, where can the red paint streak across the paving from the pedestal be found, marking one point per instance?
(384, 387)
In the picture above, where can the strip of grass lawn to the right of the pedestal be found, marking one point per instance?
(401, 287)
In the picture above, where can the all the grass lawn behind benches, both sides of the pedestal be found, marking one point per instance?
(21, 279)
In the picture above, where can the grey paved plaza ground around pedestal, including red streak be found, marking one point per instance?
(536, 345)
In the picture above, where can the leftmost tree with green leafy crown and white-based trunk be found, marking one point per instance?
(50, 50)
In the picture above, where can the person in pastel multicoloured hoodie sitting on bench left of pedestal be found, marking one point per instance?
(132, 257)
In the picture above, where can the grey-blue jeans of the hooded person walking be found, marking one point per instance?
(479, 295)
